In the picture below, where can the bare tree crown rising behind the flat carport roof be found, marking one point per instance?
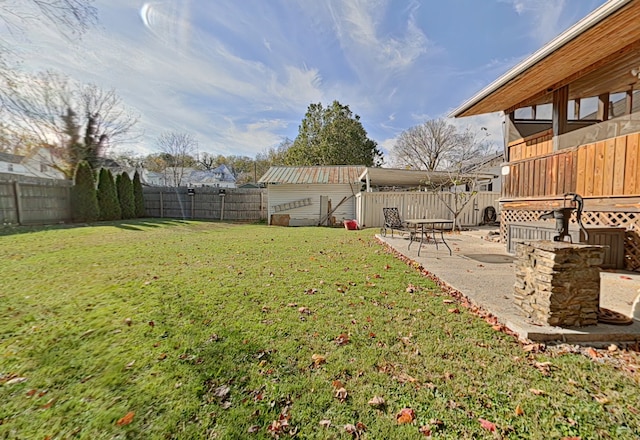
(434, 145)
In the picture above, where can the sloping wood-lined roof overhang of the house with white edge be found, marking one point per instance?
(594, 56)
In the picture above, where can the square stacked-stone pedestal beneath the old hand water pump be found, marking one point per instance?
(558, 283)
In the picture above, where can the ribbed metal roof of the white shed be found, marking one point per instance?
(340, 174)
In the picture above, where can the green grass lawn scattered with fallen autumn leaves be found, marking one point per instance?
(164, 329)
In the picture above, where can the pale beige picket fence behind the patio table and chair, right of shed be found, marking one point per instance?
(420, 205)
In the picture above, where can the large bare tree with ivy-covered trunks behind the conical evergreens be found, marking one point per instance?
(73, 121)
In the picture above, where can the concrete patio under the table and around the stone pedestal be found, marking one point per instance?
(482, 271)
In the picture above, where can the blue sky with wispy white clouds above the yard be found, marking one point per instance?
(239, 74)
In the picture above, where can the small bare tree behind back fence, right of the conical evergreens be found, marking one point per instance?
(178, 149)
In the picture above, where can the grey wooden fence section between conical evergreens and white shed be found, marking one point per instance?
(237, 204)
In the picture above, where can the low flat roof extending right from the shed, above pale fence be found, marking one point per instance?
(415, 178)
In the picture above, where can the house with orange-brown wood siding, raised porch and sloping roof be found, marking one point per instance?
(572, 126)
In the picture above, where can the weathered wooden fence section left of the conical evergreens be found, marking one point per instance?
(33, 200)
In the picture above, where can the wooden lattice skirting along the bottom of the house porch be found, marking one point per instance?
(629, 220)
